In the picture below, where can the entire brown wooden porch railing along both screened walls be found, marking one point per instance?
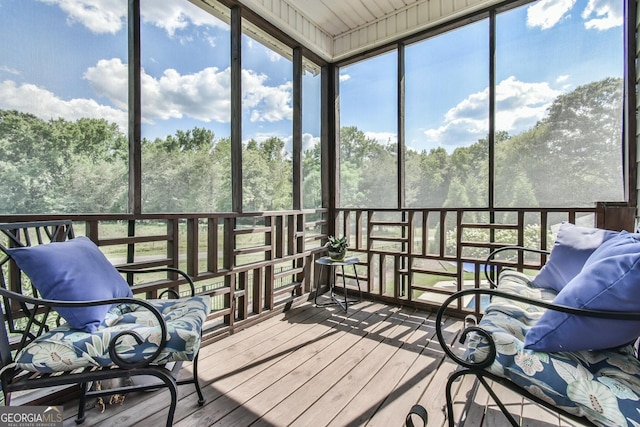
(254, 265)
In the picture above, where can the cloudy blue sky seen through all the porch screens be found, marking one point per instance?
(68, 58)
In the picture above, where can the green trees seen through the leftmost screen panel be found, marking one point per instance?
(43, 164)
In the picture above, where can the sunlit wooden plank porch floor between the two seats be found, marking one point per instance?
(316, 366)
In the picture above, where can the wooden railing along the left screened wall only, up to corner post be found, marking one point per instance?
(251, 265)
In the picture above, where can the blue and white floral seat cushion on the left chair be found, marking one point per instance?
(66, 349)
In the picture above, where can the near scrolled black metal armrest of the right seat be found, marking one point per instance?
(616, 315)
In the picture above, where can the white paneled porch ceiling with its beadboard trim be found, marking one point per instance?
(337, 29)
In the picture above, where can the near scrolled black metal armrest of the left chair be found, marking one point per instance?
(27, 335)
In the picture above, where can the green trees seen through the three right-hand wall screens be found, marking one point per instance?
(570, 158)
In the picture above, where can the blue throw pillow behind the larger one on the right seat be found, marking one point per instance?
(573, 246)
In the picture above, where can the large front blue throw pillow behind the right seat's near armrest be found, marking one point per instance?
(610, 280)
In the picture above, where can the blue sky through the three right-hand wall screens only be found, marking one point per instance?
(543, 50)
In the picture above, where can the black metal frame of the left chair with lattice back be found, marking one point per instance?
(18, 306)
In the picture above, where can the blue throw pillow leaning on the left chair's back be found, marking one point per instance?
(73, 270)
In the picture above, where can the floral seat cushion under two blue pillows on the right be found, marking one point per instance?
(603, 386)
